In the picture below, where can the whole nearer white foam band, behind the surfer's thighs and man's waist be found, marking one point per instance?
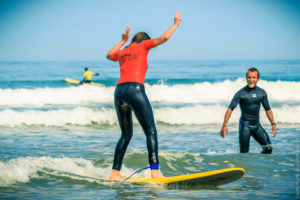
(193, 115)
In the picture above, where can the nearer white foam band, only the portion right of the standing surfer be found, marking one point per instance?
(214, 114)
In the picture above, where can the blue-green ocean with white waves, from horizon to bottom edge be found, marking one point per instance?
(57, 139)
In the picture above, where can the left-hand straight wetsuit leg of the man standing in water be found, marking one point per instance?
(244, 137)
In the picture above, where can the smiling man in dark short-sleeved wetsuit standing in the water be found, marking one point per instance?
(250, 97)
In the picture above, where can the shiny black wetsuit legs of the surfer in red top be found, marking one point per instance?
(130, 97)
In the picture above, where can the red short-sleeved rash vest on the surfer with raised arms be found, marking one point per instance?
(133, 61)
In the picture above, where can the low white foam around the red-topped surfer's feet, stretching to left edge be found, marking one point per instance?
(21, 170)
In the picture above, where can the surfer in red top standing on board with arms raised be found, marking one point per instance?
(130, 95)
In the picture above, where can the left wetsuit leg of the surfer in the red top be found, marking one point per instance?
(124, 114)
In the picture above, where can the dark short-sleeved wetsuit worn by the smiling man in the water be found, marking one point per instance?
(250, 100)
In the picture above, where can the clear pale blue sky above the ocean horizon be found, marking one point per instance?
(85, 30)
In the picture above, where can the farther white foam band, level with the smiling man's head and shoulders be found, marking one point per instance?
(220, 92)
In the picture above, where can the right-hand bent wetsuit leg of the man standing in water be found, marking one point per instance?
(261, 136)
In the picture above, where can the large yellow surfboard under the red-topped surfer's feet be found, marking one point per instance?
(210, 178)
